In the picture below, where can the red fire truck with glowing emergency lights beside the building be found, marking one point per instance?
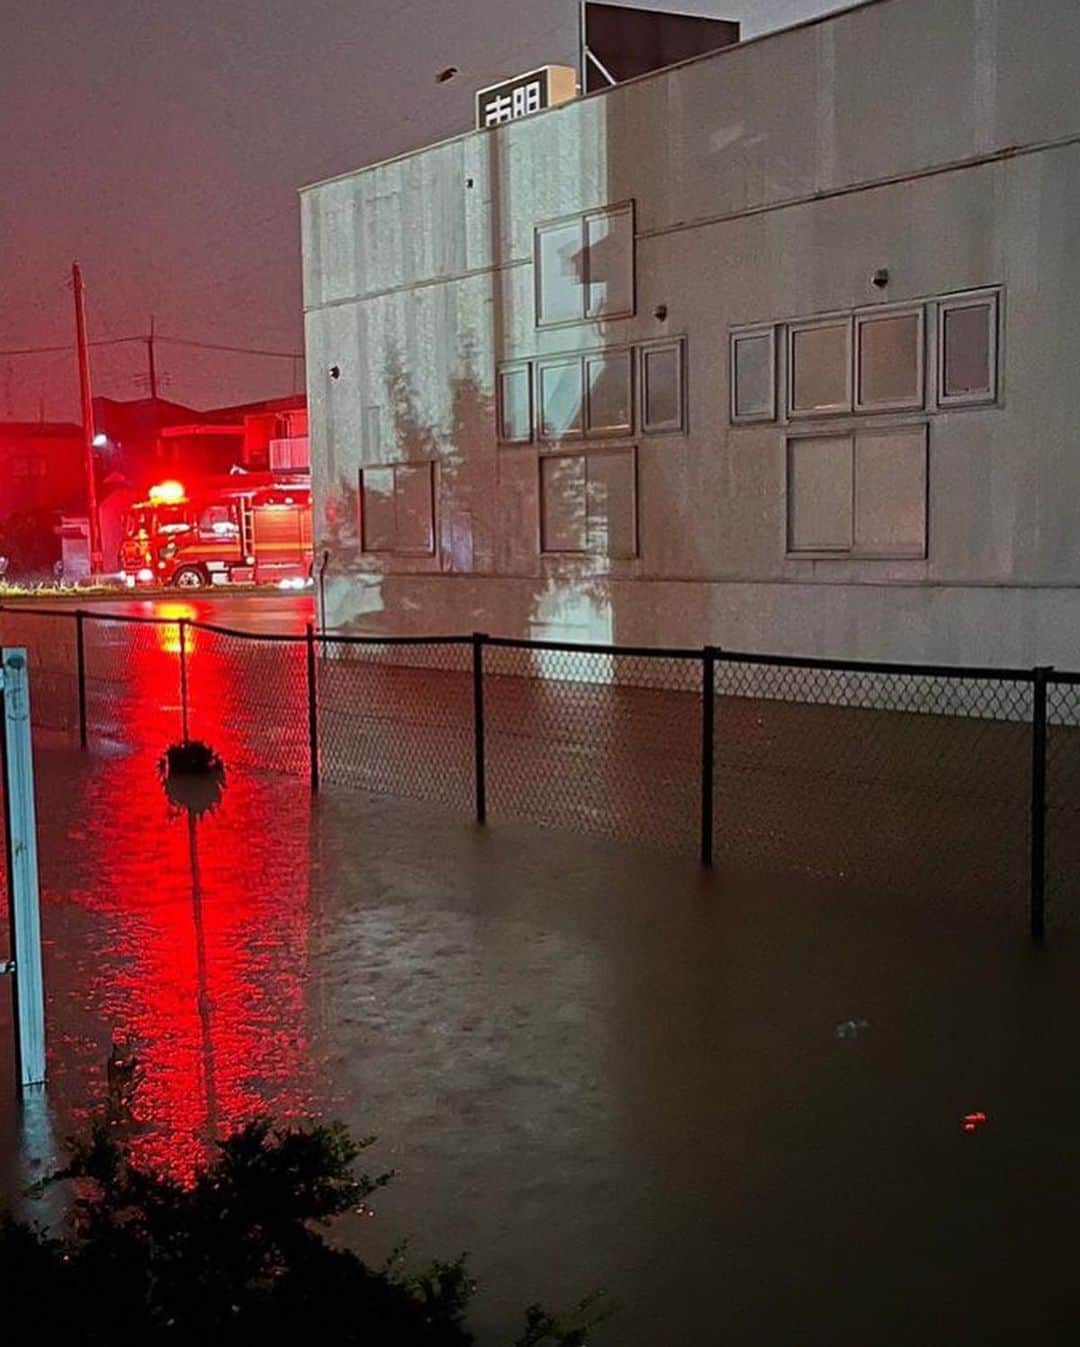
(247, 529)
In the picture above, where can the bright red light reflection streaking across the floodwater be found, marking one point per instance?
(204, 923)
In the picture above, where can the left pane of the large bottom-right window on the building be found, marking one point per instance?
(821, 494)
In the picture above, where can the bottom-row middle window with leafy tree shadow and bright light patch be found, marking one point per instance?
(589, 503)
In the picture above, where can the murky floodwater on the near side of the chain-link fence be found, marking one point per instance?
(739, 1109)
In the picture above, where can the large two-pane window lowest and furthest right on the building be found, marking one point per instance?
(858, 495)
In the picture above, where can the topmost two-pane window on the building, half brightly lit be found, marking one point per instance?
(585, 267)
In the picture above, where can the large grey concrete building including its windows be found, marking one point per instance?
(776, 350)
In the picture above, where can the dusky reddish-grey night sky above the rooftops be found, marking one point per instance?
(162, 143)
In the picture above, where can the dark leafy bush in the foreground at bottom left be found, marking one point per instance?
(235, 1257)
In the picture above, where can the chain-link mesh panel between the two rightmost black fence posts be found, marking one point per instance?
(900, 782)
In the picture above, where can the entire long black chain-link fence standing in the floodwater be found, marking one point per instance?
(900, 779)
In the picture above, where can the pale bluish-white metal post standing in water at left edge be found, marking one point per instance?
(22, 829)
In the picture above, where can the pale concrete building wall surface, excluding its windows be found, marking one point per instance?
(939, 139)
